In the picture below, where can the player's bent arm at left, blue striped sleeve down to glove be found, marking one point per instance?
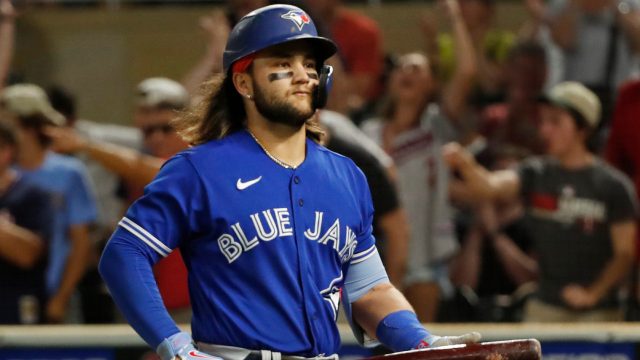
(152, 227)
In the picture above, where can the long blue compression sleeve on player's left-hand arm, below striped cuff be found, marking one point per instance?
(128, 274)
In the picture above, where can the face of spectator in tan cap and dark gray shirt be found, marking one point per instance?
(559, 130)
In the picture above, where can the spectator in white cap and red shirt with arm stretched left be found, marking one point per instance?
(157, 101)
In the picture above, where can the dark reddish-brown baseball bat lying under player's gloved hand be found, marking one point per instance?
(520, 349)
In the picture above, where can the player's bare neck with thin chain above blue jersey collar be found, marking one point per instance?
(282, 142)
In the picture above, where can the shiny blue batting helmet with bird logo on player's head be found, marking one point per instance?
(273, 25)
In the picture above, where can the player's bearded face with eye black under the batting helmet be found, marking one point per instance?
(283, 81)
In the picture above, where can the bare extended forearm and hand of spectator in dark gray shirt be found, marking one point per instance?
(478, 183)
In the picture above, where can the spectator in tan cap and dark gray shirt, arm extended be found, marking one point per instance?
(582, 211)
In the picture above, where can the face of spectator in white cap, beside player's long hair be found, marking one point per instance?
(160, 139)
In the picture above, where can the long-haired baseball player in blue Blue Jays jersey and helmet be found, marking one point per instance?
(274, 229)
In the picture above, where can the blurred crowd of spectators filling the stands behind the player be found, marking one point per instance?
(503, 165)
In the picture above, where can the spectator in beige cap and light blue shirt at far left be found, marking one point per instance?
(73, 197)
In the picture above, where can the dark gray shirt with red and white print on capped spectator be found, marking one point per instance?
(571, 213)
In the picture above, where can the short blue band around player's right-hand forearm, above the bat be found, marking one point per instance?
(401, 331)
